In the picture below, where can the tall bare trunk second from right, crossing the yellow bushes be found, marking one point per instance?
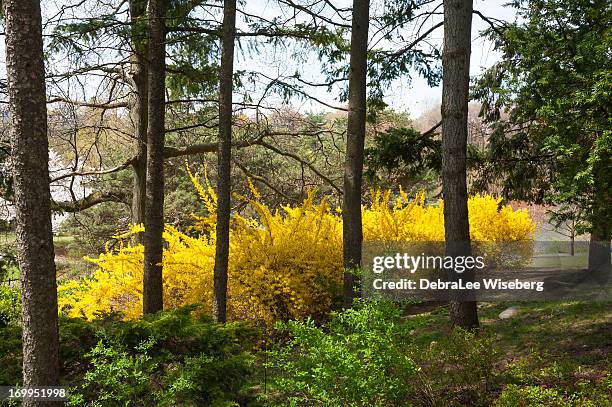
(352, 233)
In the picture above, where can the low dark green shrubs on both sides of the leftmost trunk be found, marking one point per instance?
(170, 358)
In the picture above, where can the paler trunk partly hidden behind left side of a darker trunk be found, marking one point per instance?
(138, 107)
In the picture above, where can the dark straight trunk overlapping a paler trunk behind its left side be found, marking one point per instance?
(154, 211)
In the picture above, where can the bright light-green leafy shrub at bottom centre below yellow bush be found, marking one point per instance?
(357, 359)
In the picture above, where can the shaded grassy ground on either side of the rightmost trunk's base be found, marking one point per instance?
(581, 331)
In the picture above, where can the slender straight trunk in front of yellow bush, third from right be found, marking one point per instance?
(224, 159)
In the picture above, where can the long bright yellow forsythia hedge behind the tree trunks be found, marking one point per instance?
(283, 264)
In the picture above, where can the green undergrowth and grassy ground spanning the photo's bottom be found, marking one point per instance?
(377, 354)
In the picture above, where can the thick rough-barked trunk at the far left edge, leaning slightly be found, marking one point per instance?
(30, 160)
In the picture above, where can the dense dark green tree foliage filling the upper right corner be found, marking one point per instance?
(555, 81)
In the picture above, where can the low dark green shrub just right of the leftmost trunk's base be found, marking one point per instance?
(168, 358)
